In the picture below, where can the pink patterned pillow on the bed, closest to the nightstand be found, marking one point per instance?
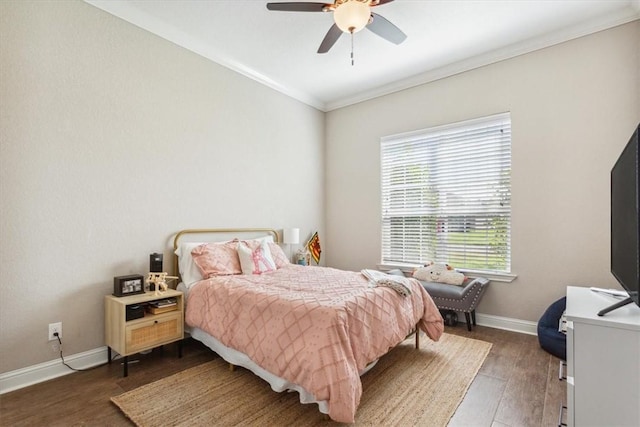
(217, 259)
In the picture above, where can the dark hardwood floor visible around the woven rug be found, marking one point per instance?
(517, 386)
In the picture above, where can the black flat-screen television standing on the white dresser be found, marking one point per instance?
(625, 222)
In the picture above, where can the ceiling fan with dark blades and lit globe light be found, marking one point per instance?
(350, 16)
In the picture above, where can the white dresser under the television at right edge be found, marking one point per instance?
(603, 361)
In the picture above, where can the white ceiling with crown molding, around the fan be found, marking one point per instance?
(444, 38)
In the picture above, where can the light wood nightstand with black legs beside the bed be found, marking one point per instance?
(145, 330)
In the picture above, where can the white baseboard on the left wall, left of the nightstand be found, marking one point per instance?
(24, 377)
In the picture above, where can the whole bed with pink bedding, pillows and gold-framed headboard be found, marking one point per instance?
(313, 330)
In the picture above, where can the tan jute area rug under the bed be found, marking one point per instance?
(407, 387)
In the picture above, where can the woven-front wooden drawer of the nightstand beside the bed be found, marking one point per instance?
(152, 333)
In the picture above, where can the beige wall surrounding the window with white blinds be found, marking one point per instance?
(573, 108)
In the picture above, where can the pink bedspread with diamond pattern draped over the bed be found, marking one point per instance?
(316, 327)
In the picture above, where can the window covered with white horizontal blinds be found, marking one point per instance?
(446, 195)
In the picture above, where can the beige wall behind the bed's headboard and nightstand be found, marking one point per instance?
(111, 140)
